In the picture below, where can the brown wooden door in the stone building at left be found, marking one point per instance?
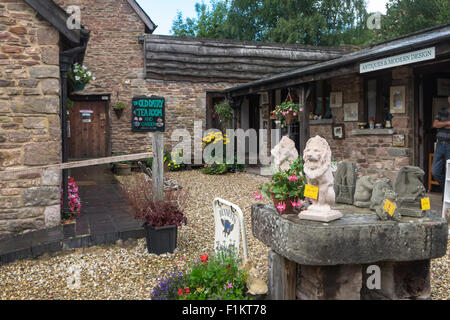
(88, 126)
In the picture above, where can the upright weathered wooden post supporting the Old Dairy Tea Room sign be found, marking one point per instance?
(158, 166)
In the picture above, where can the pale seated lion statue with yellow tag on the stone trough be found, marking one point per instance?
(317, 167)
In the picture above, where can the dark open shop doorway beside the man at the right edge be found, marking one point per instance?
(432, 91)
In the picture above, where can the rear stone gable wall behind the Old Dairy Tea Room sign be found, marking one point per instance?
(116, 59)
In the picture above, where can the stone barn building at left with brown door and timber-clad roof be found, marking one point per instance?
(116, 43)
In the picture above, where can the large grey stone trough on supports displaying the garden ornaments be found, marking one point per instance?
(311, 260)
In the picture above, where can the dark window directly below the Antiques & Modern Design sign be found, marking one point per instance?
(377, 90)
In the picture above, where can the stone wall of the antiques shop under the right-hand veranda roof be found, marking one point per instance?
(374, 154)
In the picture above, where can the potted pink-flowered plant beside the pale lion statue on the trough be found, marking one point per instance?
(283, 186)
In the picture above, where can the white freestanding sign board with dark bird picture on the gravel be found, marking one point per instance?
(229, 226)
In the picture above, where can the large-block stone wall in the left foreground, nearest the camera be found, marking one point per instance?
(30, 132)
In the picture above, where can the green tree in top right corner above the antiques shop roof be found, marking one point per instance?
(407, 16)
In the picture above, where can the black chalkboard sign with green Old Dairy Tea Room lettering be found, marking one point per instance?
(148, 114)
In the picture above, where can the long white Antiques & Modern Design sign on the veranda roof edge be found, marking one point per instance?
(399, 60)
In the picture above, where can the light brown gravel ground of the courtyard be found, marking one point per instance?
(127, 271)
